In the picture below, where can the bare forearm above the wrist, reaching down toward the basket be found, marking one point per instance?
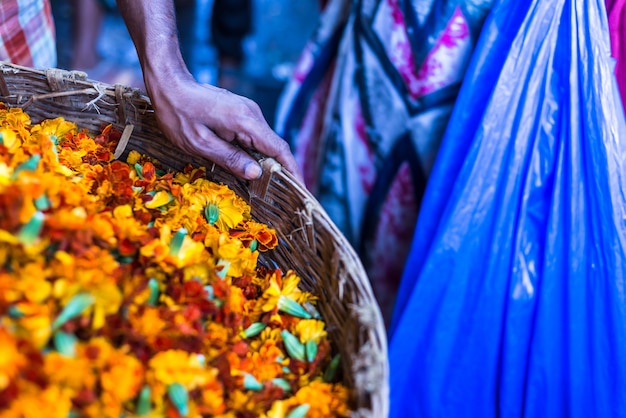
(152, 26)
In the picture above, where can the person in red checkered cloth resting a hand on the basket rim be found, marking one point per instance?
(200, 119)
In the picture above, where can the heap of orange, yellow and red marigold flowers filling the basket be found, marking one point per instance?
(126, 290)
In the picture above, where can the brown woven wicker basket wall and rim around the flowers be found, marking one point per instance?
(309, 241)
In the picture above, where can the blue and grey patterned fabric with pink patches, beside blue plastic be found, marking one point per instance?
(366, 110)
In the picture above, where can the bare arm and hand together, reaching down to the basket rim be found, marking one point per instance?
(200, 119)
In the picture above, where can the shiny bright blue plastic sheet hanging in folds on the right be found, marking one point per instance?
(513, 300)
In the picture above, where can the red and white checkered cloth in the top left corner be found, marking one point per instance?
(27, 34)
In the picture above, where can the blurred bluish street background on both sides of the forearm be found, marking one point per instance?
(246, 46)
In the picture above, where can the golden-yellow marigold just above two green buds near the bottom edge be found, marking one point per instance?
(177, 366)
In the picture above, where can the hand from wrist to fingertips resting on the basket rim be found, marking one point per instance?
(219, 125)
